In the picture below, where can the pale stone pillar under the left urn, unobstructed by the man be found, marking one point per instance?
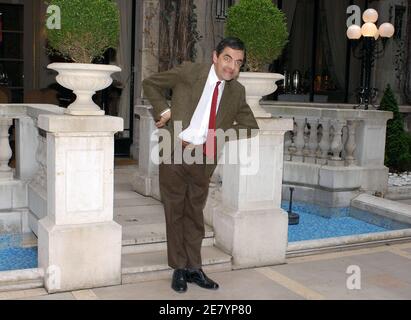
(79, 244)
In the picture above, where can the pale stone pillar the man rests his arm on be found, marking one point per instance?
(249, 222)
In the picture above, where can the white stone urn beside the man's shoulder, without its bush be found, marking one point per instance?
(257, 85)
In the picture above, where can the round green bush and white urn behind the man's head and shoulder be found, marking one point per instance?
(263, 28)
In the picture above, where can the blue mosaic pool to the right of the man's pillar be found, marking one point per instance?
(319, 222)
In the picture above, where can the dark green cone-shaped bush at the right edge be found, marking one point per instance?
(398, 141)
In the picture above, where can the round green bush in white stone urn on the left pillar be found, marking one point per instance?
(88, 29)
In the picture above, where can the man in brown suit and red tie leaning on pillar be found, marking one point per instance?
(204, 99)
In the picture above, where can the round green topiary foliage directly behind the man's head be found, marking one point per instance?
(262, 27)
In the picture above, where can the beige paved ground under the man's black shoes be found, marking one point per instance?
(372, 273)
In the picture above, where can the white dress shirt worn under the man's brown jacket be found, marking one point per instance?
(196, 133)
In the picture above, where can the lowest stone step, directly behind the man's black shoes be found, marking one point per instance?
(148, 266)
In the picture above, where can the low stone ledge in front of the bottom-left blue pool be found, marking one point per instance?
(21, 279)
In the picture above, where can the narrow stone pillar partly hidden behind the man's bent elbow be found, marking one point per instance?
(145, 180)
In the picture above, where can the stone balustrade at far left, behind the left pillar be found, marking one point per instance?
(24, 186)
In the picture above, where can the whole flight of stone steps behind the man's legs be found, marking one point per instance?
(144, 235)
